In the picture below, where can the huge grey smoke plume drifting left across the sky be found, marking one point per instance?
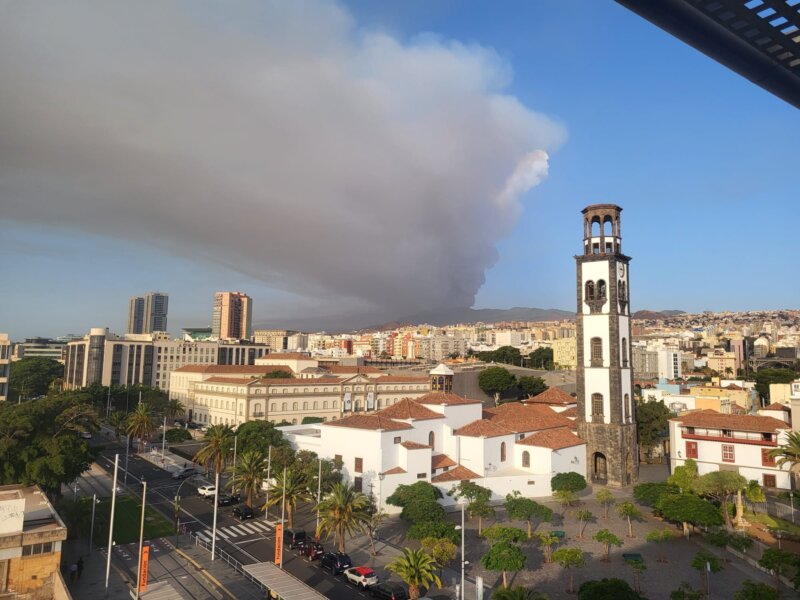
(274, 138)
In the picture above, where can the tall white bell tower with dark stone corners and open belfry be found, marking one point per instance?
(606, 418)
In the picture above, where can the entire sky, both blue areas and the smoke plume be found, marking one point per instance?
(360, 162)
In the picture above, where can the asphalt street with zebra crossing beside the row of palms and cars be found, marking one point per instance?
(197, 514)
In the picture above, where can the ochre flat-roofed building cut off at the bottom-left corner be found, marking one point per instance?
(31, 533)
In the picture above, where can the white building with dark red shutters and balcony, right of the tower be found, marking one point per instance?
(739, 443)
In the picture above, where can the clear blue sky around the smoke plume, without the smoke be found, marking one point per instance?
(699, 158)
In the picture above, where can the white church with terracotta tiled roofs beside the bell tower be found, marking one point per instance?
(444, 439)
